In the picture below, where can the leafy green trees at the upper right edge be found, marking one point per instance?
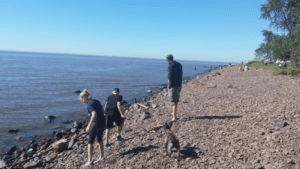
(284, 15)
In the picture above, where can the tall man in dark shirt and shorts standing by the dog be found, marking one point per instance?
(174, 83)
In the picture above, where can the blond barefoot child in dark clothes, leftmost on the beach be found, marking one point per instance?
(95, 126)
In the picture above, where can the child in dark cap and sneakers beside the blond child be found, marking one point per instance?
(114, 113)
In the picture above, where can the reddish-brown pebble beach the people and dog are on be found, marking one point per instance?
(227, 119)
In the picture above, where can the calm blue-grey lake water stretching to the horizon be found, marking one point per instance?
(36, 85)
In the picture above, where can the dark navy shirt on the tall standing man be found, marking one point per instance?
(175, 74)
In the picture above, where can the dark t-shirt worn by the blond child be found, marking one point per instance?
(95, 105)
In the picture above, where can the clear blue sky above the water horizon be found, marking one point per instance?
(221, 31)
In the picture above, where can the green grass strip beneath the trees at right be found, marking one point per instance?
(275, 67)
